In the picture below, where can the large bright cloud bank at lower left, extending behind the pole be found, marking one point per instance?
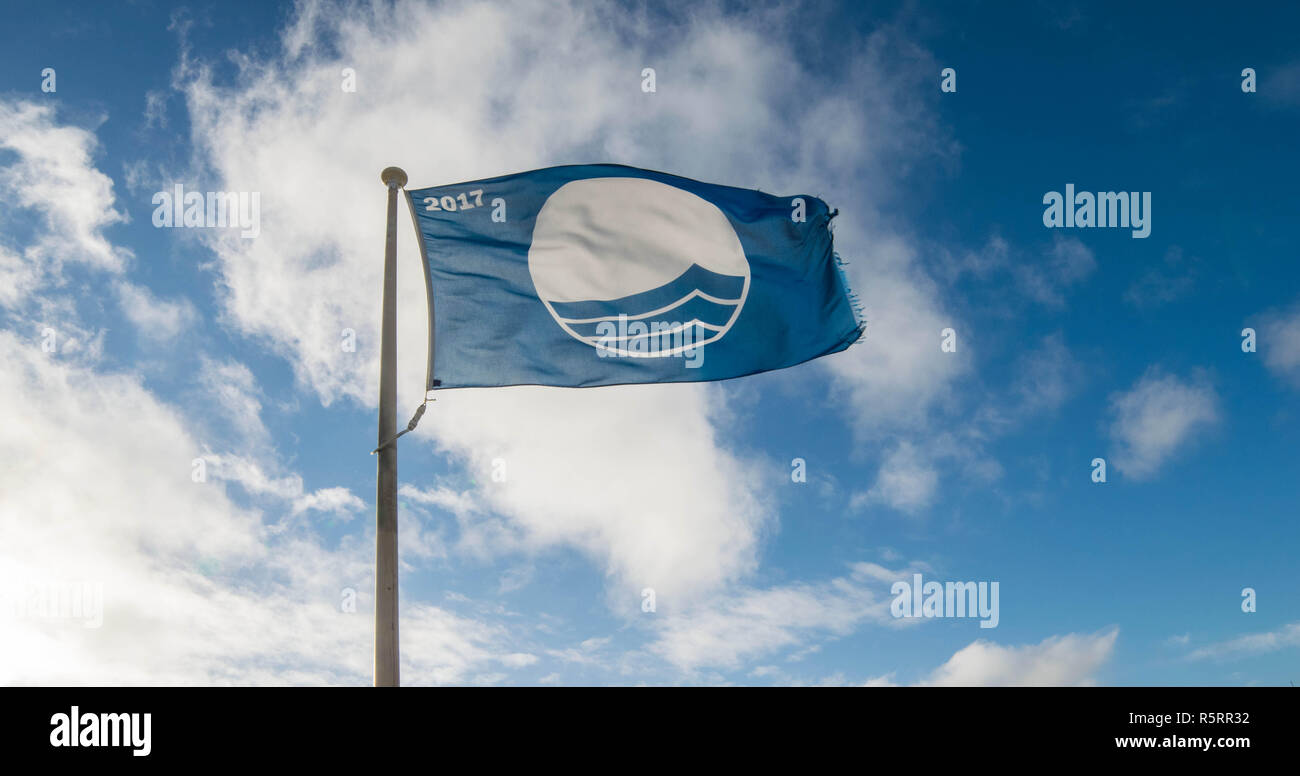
(107, 497)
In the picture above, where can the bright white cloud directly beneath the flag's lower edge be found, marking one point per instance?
(678, 514)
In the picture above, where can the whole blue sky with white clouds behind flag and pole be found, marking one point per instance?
(176, 345)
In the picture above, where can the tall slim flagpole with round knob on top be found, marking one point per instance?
(387, 476)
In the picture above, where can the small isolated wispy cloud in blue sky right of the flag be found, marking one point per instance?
(1158, 417)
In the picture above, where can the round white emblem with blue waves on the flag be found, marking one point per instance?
(643, 250)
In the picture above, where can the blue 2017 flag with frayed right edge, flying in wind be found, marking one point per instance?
(605, 275)
